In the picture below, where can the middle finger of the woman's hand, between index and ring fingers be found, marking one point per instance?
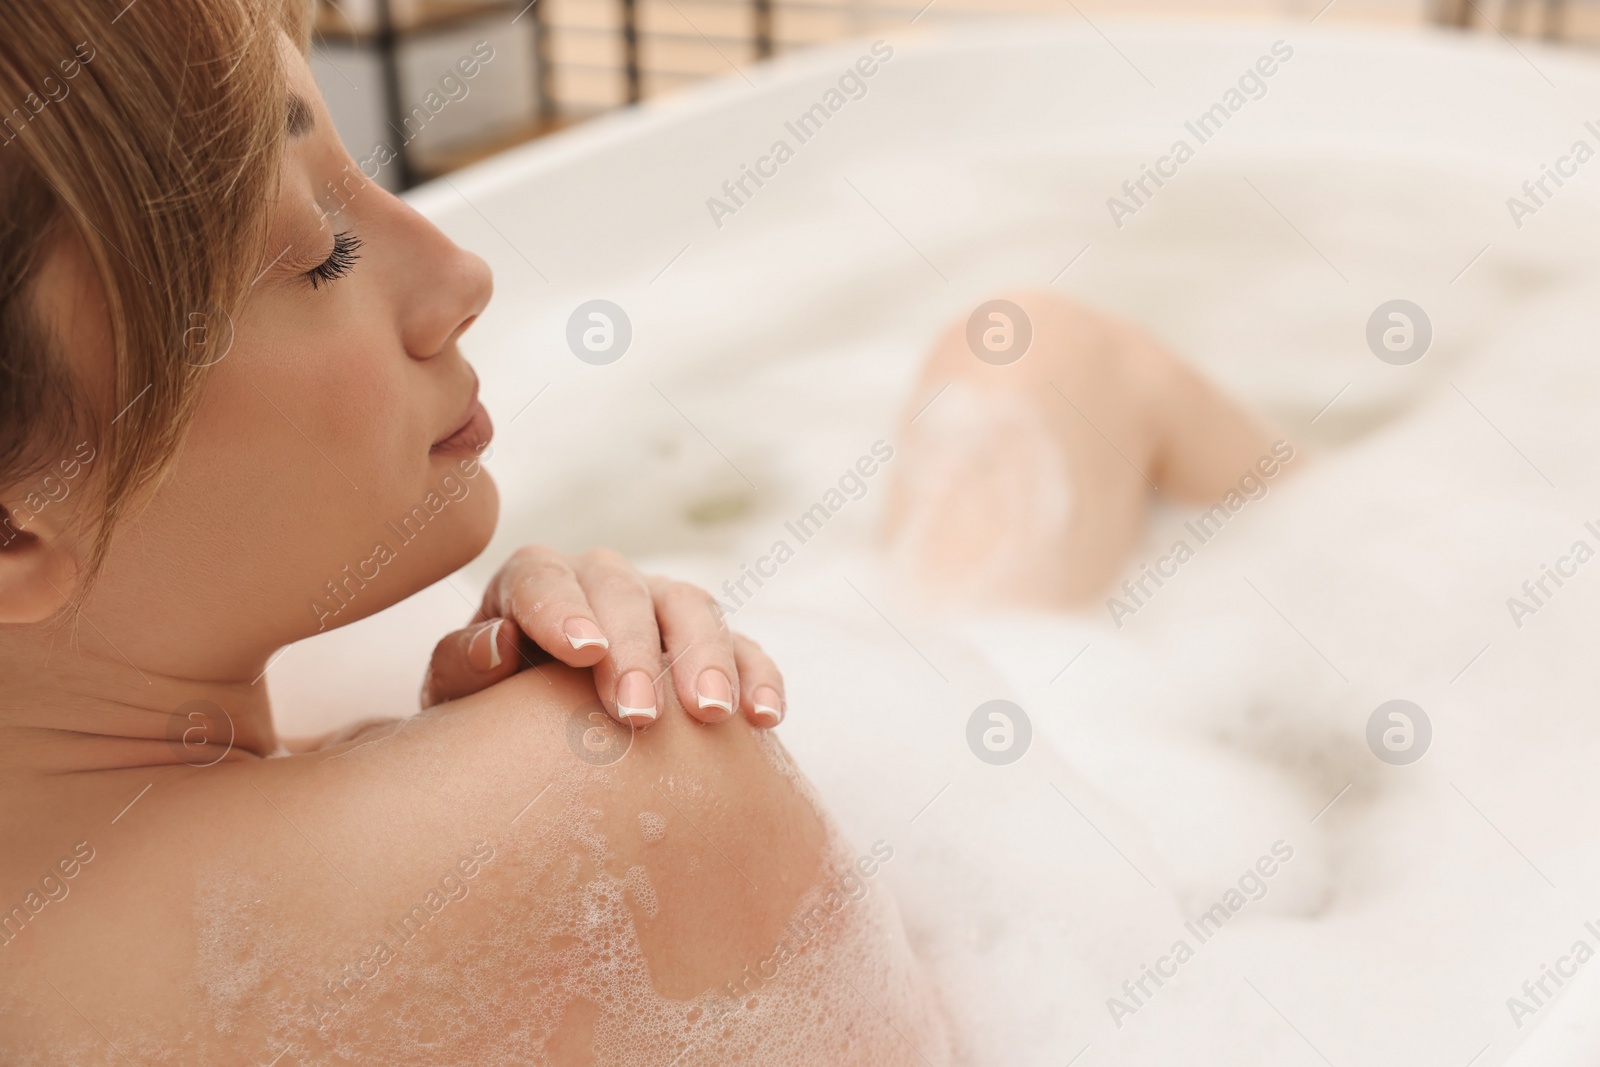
(630, 677)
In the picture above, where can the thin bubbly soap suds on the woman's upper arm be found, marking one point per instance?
(514, 980)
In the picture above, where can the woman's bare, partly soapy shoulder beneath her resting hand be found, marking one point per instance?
(513, 865)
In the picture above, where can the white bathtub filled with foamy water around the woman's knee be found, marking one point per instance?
(774, 350)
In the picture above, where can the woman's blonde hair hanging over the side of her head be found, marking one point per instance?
(154, 134)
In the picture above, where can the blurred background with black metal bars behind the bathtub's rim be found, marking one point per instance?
(425, 87)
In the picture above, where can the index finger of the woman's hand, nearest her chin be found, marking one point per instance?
(540, 589)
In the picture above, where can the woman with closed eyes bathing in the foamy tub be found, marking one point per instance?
(234, 415)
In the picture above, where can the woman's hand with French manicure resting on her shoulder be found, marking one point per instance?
(594, 610)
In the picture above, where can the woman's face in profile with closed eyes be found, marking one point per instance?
(332, 466)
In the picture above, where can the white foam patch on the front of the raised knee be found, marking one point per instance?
(990, 497)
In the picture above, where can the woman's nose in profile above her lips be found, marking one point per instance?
(447, 289)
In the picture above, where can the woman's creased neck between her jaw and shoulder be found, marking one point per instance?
(74, 703)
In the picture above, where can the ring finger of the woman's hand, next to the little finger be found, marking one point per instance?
(700, 647)
